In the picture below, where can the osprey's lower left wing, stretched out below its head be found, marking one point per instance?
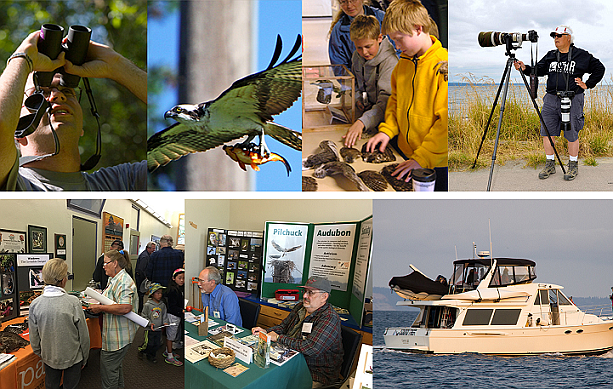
(178, 140)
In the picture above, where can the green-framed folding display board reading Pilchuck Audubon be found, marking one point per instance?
(339, 252)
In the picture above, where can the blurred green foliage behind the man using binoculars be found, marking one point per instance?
(119, 24)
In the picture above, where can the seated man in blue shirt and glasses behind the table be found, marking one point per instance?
(221, 300)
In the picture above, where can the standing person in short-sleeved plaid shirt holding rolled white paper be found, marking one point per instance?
(117, 331)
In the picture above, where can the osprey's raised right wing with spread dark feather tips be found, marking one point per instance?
(270, 91)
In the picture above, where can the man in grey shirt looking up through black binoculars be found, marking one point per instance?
(60, 126)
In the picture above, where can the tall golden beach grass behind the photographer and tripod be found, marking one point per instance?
(519, 134)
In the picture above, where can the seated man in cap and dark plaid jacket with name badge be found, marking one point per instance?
(314, 329)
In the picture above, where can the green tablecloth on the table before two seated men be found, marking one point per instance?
(294, 373)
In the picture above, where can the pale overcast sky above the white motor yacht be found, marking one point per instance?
(571, 241)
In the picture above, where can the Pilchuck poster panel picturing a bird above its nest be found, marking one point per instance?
(285, 251)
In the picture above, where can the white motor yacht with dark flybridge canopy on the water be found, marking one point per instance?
(494, 306)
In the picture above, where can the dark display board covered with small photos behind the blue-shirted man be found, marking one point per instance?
(238, 256)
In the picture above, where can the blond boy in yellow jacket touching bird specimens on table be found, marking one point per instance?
(416, 112)
